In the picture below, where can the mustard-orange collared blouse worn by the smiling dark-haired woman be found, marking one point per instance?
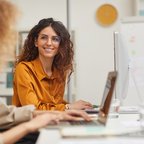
(33, 86)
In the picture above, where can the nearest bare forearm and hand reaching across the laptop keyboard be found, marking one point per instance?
(41, 120)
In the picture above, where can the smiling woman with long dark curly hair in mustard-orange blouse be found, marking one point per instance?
(44, 68)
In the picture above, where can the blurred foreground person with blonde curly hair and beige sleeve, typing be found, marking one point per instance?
(11, 115)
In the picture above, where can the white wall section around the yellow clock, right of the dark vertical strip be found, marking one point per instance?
(94, 45)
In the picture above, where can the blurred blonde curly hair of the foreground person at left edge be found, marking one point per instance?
(8, 17)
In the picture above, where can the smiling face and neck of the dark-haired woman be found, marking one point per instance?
(48, 45)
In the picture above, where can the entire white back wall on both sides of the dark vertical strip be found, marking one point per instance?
(93, 43)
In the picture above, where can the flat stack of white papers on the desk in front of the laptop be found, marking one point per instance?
(91, 132)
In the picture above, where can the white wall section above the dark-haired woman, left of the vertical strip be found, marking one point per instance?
(34, 10)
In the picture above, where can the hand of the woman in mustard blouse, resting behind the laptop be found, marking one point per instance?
(80, 105)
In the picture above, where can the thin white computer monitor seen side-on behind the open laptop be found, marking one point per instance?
(121, 66)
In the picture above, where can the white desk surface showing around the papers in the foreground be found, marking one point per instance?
(125, 122)
